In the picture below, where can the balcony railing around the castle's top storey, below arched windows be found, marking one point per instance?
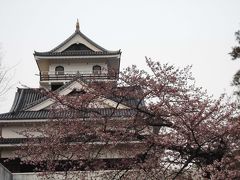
(69, 75)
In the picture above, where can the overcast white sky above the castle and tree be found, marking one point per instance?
(180, 32)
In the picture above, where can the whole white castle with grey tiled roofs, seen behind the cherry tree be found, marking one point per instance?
(71, 65)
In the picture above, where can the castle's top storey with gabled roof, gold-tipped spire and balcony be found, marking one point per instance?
(77, 56)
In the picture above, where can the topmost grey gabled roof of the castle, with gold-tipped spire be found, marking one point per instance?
(83, 46)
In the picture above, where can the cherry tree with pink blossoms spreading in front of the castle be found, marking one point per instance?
(160, 126)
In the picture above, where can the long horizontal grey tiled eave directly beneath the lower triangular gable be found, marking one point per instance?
(46, 114)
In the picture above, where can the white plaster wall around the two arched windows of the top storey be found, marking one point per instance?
(81, 67)
